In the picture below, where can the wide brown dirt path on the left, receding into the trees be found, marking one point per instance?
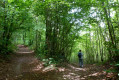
(25, 66)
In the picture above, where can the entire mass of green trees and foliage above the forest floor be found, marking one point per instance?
(58, 29)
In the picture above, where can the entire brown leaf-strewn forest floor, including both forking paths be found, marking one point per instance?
(25, 66)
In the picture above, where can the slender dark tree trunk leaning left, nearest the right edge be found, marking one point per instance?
(111, 30)
